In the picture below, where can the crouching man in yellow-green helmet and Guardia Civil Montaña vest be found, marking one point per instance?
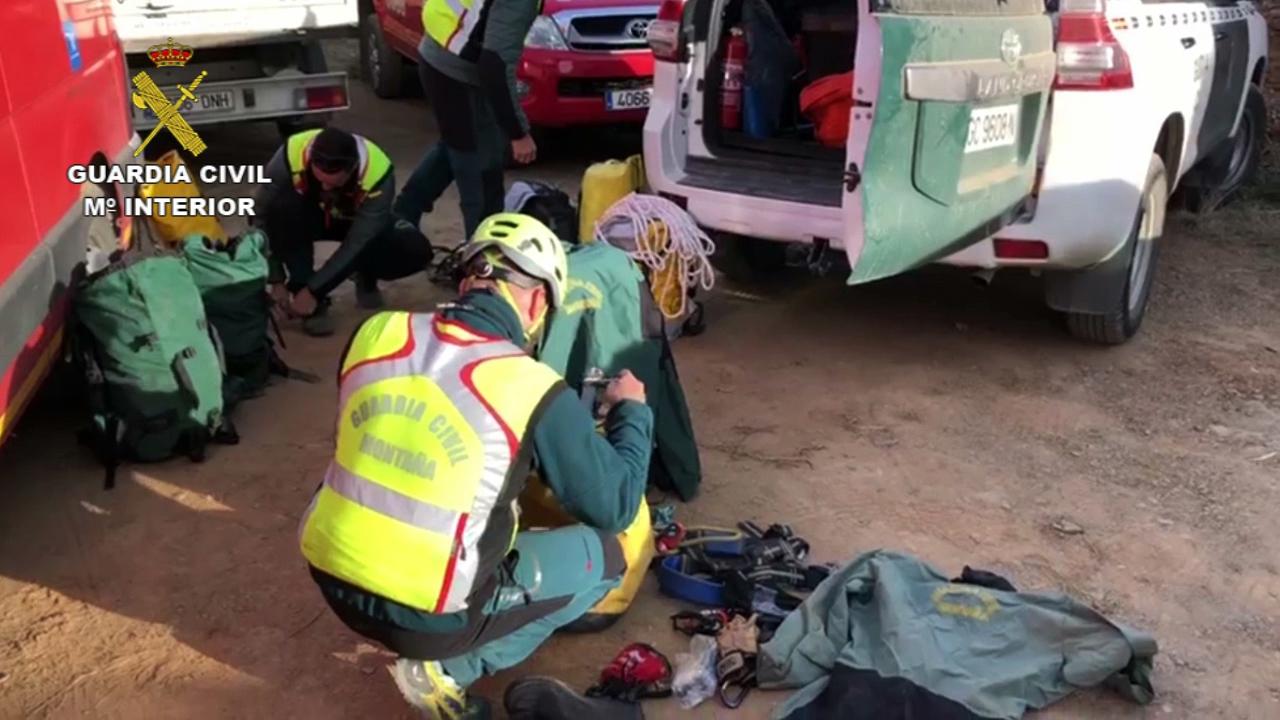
(413, 537)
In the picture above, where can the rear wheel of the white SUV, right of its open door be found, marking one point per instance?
(1123, 321)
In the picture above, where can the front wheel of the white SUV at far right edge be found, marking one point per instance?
(1236, 163)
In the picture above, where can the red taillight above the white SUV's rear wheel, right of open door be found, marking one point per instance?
(1089, 54)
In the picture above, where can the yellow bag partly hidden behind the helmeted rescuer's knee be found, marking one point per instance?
(540, 509)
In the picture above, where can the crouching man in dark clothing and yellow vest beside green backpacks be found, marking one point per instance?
(331, 185)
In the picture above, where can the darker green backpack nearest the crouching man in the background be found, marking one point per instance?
(232, 282)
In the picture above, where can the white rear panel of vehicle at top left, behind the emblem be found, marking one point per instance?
(207, 24)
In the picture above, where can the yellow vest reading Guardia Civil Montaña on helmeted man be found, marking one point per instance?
(420, 502)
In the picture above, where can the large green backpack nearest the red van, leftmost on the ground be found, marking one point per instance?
(153, 363)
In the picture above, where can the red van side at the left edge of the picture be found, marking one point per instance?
(63, 102)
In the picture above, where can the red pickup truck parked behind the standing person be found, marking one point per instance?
(586, 62)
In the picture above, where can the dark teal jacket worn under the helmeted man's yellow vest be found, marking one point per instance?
(601, 481)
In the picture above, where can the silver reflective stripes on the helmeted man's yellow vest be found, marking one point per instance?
(444, 363)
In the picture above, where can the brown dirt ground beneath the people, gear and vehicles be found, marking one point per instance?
(922, 414)
